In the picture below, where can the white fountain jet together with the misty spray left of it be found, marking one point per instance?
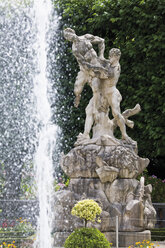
(27, 130)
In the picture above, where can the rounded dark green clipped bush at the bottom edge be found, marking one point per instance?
(86, 238)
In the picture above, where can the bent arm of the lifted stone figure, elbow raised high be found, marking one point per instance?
(99, 41)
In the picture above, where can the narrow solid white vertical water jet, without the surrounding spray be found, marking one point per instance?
(43, 156)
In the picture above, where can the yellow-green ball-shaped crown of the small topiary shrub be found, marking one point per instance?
(88, 210)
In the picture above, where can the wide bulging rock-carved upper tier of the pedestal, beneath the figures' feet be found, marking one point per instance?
(119, 161)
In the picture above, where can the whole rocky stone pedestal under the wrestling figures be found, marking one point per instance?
(106, 174)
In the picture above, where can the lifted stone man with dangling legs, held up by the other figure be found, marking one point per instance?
(85, 54)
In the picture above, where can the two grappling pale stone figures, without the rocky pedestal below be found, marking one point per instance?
(102, 75)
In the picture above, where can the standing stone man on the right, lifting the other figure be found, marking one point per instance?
(111, 96)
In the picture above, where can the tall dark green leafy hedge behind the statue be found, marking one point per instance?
(138, 29)
